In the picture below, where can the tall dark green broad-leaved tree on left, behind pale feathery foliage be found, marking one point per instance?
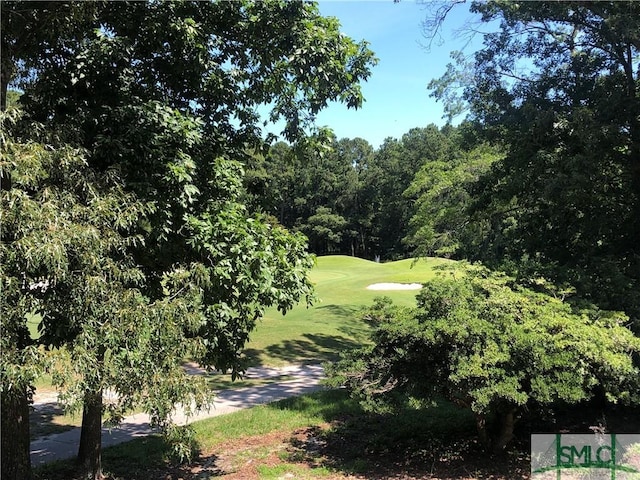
(166, 95)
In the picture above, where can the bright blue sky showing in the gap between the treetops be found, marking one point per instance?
(397, 98)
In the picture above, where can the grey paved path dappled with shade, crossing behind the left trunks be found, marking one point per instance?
(65, 445)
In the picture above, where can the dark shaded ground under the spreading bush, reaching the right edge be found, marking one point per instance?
(433, 441)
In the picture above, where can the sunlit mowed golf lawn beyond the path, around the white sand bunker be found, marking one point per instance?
(333, 323)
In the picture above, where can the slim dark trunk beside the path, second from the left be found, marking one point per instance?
(90, 450)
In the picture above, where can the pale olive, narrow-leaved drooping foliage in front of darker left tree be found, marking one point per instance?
(66, 232)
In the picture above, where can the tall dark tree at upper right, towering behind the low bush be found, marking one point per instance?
(558, 84)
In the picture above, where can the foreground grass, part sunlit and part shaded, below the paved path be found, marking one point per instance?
(355, 441)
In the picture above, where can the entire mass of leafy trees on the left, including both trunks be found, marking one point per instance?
(155, 104)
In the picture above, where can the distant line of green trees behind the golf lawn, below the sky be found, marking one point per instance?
(350, 199)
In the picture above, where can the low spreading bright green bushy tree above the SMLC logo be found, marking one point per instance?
(495, 348)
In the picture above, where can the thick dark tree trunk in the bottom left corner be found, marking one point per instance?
(15, 444)
